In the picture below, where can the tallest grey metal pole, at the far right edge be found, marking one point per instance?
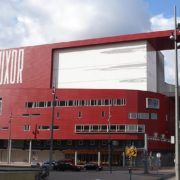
(177, 158)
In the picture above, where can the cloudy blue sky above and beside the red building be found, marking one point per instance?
(33, 22)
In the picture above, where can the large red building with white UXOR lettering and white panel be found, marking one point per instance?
(86, 117)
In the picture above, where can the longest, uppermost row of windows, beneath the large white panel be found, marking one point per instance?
(91, 102)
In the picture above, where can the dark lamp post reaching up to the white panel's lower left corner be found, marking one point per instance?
(52, 128)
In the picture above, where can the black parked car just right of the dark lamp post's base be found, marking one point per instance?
(63, 166)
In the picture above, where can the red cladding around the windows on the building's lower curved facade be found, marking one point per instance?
(136, 102)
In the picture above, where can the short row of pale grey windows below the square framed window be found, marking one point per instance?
(142, 116)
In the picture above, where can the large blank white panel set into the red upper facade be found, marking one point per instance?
(115, 66)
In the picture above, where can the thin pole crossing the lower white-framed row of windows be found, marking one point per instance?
(109, 141)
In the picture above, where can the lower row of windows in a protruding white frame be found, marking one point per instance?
(114, 128)
